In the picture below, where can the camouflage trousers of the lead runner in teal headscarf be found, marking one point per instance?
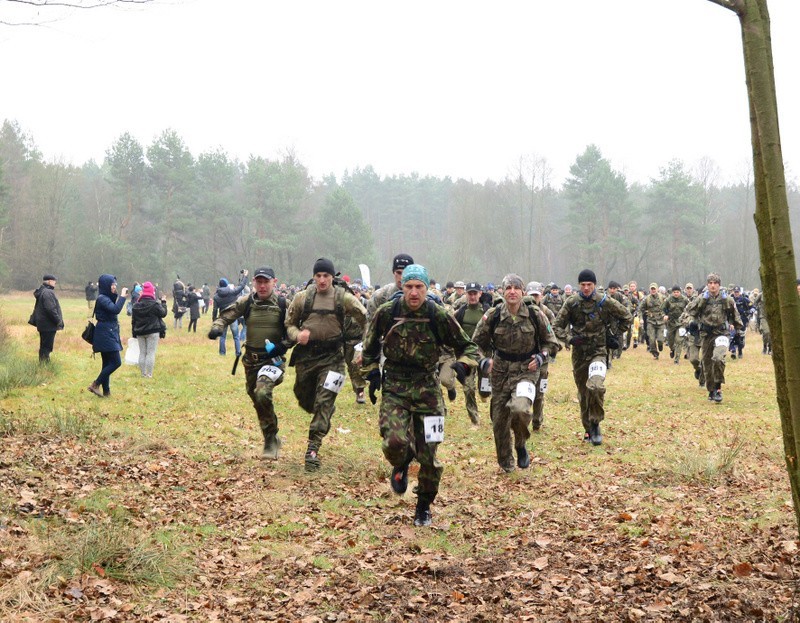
(405, 401)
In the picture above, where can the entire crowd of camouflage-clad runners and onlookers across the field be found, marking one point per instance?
(411, 340)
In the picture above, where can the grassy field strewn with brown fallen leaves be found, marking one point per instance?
(153, 505)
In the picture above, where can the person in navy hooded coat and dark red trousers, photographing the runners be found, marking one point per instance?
(106, 333)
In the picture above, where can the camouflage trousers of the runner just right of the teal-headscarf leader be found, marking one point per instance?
(510, 411)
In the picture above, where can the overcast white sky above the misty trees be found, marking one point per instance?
(459, 88)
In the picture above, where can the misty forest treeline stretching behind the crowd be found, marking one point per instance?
(154, 211)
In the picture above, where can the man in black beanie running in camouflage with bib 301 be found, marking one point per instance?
(583, 324)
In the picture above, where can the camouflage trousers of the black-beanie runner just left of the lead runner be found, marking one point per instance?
(313, 397)
